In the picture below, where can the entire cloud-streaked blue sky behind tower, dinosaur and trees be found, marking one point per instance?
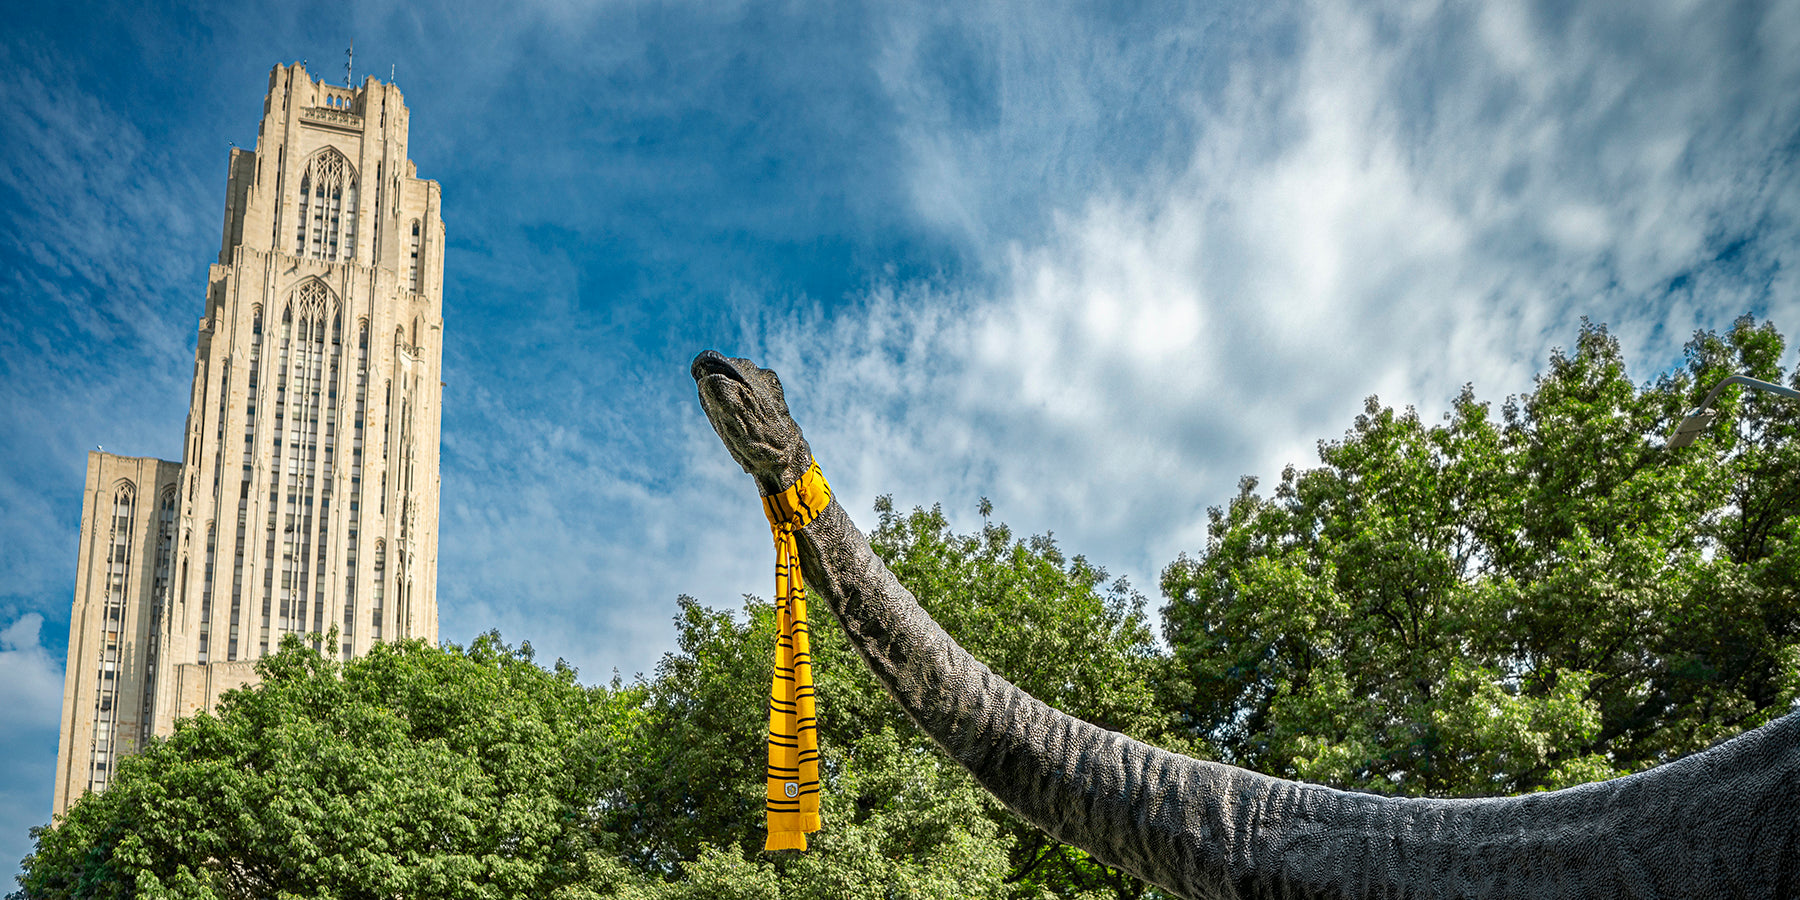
(1092, 262)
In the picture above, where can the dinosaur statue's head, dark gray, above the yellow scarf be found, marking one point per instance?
(746, 408)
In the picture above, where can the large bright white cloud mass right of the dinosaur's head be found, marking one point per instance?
(1412, 204)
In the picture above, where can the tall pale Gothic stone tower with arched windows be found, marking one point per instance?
(307, 496)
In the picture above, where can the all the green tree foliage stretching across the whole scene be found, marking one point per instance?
(1480, 606)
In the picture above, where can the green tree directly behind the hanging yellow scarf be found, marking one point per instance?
(690, 807)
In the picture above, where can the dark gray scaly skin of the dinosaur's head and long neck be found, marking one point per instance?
(1720, 823)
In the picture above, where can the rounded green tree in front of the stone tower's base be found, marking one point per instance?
(408, 773)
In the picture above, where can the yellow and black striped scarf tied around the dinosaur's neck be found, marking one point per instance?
(793, 730)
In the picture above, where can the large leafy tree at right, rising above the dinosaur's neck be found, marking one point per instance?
(1500, 606)
